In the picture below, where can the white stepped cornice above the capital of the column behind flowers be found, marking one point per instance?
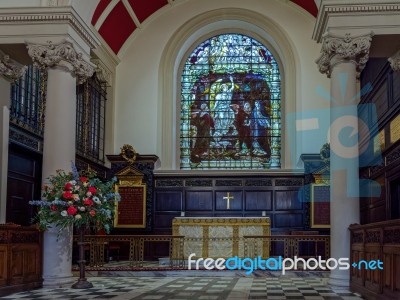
(48, 16)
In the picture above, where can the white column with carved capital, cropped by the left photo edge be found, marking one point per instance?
(10, 71)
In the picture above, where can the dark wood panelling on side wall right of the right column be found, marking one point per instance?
(385, 97)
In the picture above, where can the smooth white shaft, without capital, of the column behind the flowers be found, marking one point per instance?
(58, 153)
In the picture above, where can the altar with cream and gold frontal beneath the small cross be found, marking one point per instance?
(223, 236)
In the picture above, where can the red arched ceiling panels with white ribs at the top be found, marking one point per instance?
(116, 20)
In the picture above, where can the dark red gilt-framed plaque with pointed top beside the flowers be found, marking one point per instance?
(131, 209)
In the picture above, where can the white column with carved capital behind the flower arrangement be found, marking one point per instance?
(63, 65)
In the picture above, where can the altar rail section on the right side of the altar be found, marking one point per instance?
(291, 244)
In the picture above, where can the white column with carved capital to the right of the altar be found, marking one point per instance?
(342, 59)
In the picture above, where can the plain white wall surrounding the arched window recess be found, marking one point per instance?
(139, 90)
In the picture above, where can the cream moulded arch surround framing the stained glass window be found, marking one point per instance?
(195, 32)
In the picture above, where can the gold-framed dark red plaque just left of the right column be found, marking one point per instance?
(320, 206)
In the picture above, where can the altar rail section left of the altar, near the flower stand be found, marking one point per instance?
(98, 244)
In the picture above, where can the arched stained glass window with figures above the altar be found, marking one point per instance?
(230, 106)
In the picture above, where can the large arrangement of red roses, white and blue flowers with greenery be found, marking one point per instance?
(70, 199)
